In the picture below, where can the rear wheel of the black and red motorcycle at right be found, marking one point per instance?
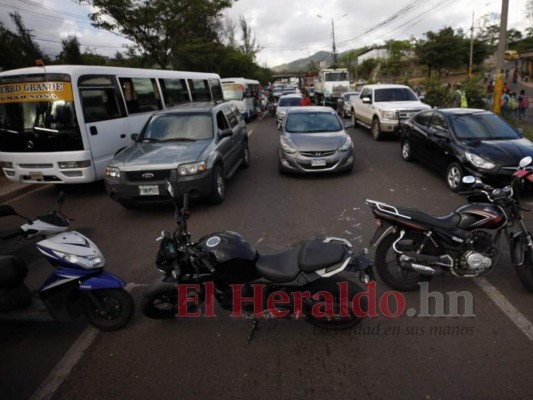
(390, 271)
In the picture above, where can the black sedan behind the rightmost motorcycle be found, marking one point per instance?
(462, 141)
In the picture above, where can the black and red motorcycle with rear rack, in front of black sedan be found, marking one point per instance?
(412, 246)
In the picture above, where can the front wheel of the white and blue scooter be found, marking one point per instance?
(118, 307)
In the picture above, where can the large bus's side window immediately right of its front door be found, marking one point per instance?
(141, 95)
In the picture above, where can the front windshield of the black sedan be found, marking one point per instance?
(482, 127)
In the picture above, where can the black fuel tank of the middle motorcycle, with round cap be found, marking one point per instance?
(234, 255)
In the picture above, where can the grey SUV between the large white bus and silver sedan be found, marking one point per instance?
(196, 146)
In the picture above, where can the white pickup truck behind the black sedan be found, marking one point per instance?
(382, 107)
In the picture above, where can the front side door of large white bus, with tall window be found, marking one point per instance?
(106, 122)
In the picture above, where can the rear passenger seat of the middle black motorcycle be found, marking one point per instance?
(317, 254)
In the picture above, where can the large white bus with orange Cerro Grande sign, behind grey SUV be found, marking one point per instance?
(65, 123)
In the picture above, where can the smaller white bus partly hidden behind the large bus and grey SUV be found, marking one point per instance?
(242, 92)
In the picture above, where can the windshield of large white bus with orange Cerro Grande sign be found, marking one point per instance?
(37, 117)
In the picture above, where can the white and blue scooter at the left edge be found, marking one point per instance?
(77, 286)
